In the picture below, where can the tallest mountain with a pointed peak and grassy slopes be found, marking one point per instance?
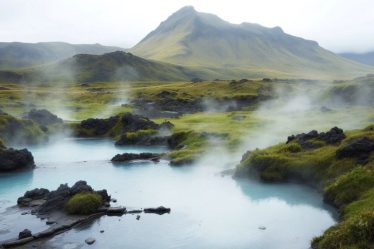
(195, 39)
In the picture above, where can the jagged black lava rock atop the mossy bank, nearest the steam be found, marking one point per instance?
(333, 136)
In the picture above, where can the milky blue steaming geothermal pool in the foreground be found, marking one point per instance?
(207, 209)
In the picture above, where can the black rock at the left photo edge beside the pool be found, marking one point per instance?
(12, 159)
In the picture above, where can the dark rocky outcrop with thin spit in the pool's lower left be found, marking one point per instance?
(53, 206)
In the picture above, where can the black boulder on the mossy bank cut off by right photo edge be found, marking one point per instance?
(359, 148)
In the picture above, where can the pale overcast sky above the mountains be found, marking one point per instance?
(338, 25)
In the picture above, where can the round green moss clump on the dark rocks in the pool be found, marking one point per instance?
(83, 203)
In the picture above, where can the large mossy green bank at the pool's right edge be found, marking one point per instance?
(347, 182)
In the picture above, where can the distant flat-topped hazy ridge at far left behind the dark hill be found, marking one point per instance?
(15, 55)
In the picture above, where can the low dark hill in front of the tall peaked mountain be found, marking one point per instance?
(115, 66)
